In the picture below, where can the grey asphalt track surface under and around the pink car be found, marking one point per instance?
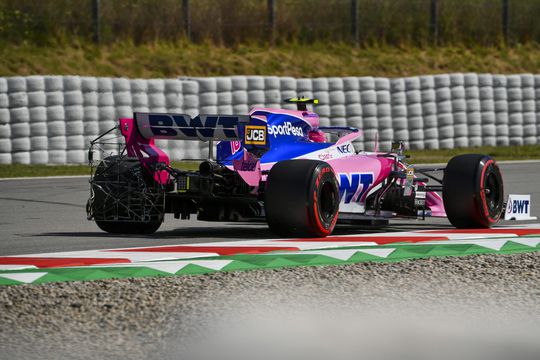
(48, 215)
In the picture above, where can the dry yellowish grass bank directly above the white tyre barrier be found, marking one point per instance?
(171, 59)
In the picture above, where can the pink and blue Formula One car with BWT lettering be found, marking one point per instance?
(278, 166)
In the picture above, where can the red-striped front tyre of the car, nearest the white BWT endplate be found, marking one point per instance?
(473, 191)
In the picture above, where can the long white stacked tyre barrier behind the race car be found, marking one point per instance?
(51, 119)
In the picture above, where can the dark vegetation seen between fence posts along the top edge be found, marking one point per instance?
(392, 22)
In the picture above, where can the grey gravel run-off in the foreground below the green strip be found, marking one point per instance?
(478, 306)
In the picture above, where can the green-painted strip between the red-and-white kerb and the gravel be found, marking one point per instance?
(264, 261)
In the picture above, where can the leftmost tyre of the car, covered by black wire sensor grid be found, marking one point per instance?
(120, 187)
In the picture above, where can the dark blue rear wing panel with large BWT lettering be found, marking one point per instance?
(184, 127)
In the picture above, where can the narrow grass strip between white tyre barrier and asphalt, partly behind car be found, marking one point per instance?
(527, 152)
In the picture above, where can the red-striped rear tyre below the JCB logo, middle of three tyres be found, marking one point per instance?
(302, 198)
